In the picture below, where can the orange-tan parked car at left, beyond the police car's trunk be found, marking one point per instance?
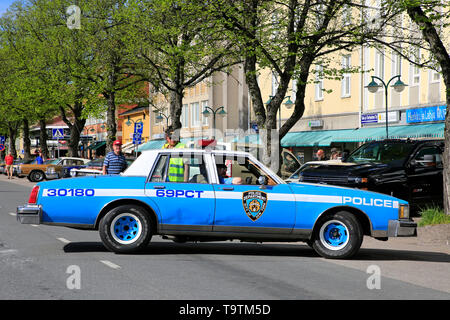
(51, 169)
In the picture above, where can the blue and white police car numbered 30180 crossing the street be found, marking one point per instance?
(204, 195)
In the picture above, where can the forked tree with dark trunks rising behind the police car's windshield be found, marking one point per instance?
(289, 37)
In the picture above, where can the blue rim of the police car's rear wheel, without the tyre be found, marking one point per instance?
(126, 228)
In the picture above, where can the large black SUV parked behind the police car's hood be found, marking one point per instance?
(409, 170)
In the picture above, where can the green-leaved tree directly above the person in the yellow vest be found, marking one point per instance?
(177, 45)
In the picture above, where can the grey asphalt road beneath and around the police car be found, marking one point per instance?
(45, 262)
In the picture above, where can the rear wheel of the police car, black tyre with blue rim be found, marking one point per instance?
(125, 229)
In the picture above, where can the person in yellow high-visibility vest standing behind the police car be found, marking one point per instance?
(178, 168)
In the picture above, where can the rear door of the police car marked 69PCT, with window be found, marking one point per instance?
(179, 187)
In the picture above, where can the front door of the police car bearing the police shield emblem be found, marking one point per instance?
(251, 207)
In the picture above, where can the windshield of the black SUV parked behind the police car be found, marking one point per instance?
(381, 152)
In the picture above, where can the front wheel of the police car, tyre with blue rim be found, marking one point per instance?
(338, 236)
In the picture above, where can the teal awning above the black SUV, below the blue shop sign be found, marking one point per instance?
(413, 131)
